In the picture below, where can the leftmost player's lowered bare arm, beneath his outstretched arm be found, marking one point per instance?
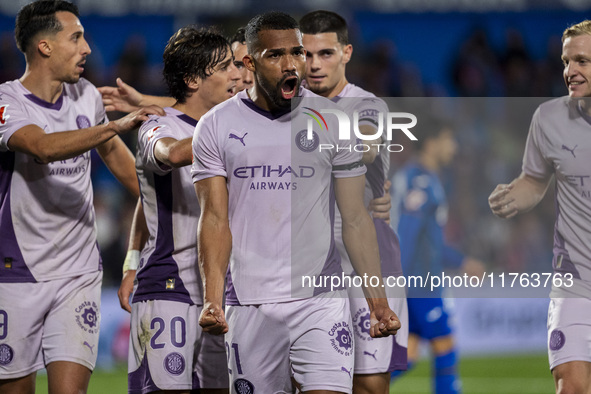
(121, 163)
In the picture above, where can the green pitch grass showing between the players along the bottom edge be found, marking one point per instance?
(491, 375)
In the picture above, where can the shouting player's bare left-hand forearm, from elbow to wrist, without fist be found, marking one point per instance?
(214, 245)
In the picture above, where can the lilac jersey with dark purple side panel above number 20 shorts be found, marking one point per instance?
(168, 269)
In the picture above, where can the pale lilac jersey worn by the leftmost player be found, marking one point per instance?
(47, 219)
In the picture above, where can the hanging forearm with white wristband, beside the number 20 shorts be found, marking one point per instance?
(138, 236)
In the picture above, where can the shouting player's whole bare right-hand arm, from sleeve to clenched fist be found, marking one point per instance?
(359, 237)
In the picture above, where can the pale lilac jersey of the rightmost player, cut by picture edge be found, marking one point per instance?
(558, 144)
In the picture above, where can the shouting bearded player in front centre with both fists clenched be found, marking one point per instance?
(271, 236)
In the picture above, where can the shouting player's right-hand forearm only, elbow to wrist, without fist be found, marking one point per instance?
(359, 237)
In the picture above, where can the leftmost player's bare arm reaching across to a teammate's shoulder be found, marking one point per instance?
(63, 145)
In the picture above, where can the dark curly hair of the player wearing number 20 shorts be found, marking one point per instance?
(191, 53)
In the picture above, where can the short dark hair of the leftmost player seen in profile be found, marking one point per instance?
(39, 17)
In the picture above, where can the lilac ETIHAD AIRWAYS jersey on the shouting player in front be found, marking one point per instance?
(281, 199)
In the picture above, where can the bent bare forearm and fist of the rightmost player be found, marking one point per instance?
(521, 195)
